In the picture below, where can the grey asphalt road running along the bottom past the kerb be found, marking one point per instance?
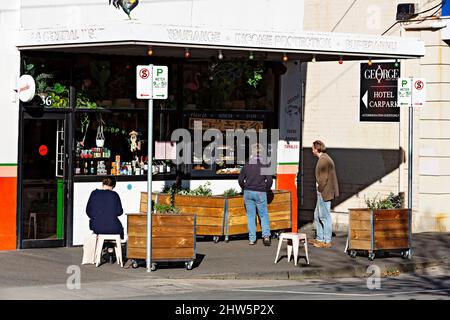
(430, 284)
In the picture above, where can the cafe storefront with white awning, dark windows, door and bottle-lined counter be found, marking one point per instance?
(85, 122)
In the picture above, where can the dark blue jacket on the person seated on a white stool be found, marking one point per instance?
(104, 208)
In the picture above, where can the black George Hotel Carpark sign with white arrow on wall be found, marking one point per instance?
(378, 92)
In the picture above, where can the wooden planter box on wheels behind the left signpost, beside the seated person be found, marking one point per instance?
(173, 238)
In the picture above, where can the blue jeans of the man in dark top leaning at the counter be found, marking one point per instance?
(253, 200)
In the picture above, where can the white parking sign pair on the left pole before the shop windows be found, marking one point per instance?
(152, 82)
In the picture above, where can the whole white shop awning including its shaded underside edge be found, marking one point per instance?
(134, 38)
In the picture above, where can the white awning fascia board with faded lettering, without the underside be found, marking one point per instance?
(297, 41)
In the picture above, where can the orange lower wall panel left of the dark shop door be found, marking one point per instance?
(8, 207)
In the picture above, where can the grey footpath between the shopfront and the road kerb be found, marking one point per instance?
(232, 260)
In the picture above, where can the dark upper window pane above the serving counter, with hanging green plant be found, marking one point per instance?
(234, 85)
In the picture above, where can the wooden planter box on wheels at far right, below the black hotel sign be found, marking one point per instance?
(384, 229)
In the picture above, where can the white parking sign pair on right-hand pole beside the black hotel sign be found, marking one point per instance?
(412, 92)
